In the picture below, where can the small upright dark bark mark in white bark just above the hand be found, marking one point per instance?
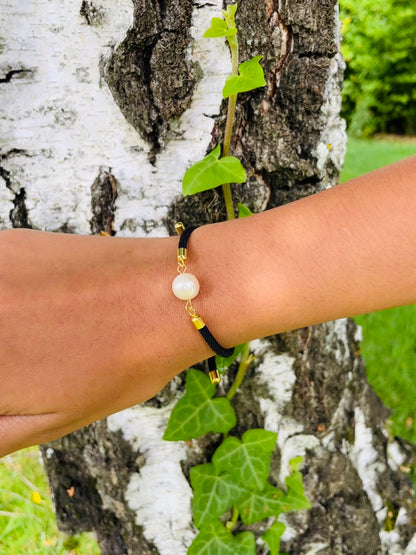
(103, 198)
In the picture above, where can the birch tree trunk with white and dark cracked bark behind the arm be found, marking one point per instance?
(104, 105)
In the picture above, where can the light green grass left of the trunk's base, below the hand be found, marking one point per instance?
(27, 520)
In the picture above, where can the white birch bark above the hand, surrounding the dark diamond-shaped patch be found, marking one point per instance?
(62, 125)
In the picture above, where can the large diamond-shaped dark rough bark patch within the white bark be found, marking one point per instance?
(149, 74)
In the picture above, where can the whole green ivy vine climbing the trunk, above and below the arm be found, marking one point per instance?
(233, 490)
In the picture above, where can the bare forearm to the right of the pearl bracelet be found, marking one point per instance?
(342, 252)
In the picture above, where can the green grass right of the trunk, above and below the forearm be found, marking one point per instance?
(389, 336)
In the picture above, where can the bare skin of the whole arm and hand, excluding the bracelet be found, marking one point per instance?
(89, 325)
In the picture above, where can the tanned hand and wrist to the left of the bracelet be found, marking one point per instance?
(88, 326)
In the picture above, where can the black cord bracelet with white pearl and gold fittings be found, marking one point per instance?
(186, 287)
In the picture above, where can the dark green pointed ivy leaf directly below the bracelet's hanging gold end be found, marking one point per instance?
(197, 413)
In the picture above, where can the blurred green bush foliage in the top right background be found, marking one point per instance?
(380, 50)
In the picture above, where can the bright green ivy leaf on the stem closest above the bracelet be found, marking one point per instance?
(211, 172)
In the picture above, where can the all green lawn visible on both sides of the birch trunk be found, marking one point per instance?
(27, 523)
